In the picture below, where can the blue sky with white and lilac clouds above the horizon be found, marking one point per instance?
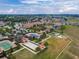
(39, 6)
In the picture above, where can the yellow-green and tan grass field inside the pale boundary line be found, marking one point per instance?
(54, 48)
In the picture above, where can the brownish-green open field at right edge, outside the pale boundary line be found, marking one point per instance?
(73, 50)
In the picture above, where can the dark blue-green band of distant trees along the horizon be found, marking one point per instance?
(30, 17)
